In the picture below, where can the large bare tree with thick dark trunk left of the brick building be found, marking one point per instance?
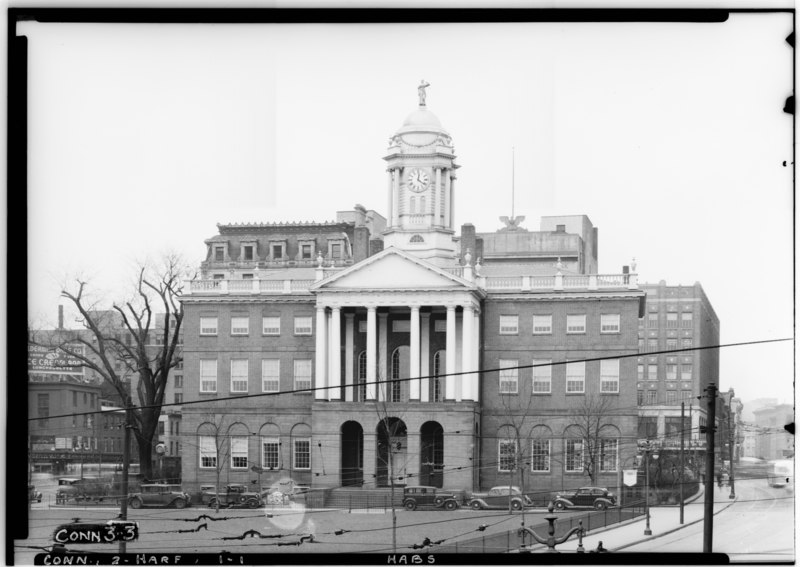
(139, 335)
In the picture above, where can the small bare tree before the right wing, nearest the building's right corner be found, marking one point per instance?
(593, 420)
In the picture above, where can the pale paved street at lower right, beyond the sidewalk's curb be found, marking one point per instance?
(758, 527)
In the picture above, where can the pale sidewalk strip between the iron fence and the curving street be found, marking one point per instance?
(663, 520)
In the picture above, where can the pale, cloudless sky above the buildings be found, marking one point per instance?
(670, 137)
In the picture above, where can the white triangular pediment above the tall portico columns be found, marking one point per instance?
(393, 269)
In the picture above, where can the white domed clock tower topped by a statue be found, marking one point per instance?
(421, 172)
